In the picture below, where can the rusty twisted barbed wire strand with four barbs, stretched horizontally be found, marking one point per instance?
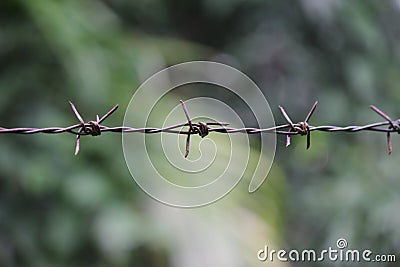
(95, 128)
